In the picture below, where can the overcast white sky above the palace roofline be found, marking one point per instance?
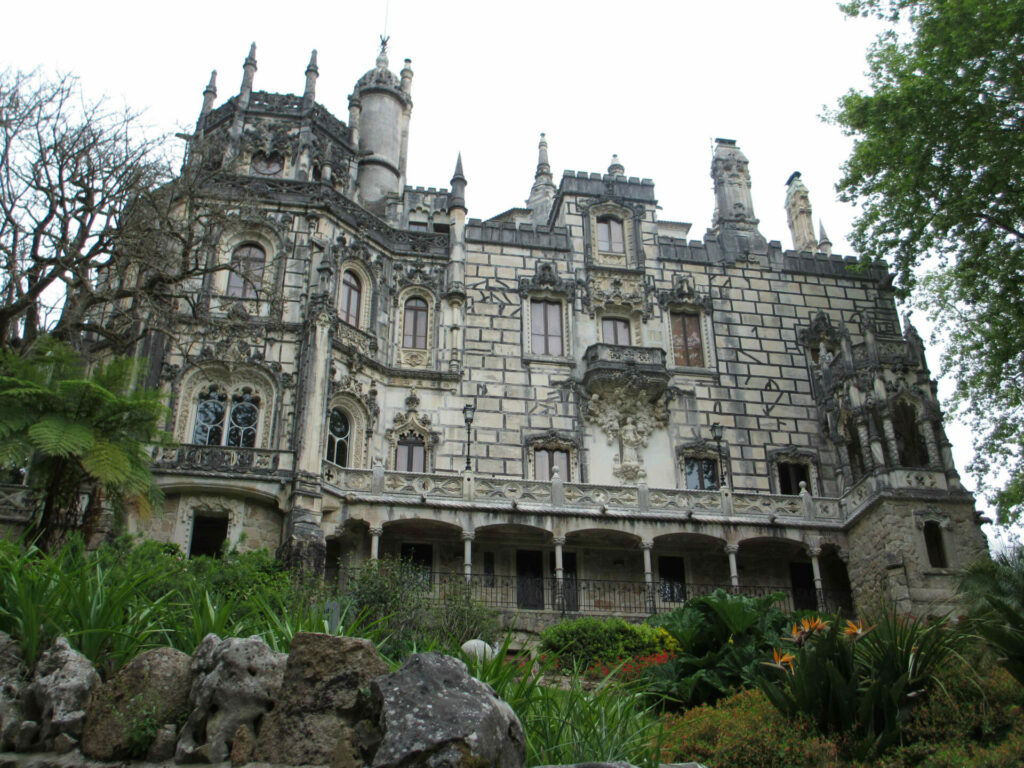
(655, 82)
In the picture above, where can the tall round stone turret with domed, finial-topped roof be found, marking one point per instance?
(379, 111)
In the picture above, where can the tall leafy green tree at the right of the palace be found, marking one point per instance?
(938, 170)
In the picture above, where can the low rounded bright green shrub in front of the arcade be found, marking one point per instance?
(581, 644)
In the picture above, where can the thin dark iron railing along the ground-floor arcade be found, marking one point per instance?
(611, 598)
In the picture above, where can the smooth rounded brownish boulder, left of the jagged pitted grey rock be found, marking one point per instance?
(150, 692)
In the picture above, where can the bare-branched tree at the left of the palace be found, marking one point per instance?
(100, 239)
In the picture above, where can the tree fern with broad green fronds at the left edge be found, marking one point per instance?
(82, 438)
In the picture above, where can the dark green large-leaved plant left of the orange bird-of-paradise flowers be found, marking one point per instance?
(722, 639)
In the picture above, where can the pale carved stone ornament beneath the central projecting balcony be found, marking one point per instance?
(627, 420)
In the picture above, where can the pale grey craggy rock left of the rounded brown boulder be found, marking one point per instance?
(59, 694)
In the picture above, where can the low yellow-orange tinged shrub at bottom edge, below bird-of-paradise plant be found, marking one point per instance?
(744, 731)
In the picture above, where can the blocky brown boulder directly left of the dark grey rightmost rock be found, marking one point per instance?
(323, 699)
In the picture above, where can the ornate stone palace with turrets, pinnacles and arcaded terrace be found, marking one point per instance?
(573, 406)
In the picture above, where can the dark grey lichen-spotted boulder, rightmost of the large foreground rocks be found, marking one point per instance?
(435, 714)
